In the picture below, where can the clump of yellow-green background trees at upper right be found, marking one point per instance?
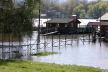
(91, 10)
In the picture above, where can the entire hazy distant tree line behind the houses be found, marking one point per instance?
(93, 9)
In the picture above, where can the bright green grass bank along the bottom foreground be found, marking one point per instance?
(28, 66)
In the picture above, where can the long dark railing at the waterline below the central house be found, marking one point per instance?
(67, 30)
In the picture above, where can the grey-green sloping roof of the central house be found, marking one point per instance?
(60, 20)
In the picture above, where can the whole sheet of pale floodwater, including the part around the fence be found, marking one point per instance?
(72, 50)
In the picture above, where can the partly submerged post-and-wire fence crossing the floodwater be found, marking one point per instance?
(28, 45)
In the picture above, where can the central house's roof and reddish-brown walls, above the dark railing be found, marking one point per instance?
(62, 23)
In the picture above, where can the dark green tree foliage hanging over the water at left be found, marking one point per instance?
(17, 19)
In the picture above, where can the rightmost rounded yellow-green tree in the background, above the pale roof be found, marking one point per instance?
(98, 9)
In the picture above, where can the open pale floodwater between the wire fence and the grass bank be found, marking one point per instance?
(87, 55)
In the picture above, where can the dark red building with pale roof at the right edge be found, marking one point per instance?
(101, 25)
